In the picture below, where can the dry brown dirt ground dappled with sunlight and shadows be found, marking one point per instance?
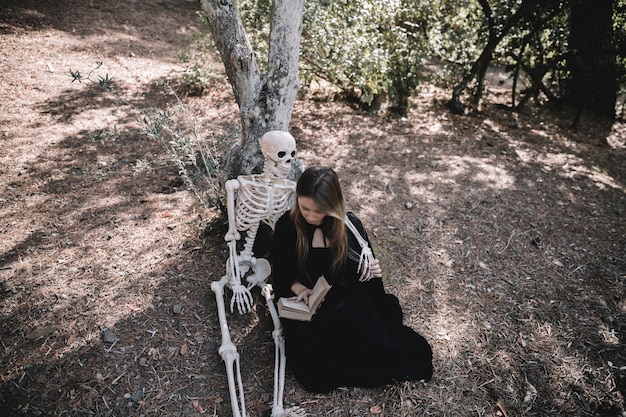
(503, 235)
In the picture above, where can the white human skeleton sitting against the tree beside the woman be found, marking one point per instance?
(261, 198)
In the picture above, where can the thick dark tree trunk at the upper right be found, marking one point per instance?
(592, 63)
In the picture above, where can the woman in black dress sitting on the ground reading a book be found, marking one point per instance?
(356, 338)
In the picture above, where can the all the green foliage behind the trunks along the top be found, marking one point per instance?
(368, 49)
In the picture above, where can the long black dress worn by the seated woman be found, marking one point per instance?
(357, 337)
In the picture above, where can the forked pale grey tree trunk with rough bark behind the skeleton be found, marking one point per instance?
(265, 99)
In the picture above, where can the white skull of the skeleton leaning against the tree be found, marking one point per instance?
(279, 149)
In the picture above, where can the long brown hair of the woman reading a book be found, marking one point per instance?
(322, 185)
